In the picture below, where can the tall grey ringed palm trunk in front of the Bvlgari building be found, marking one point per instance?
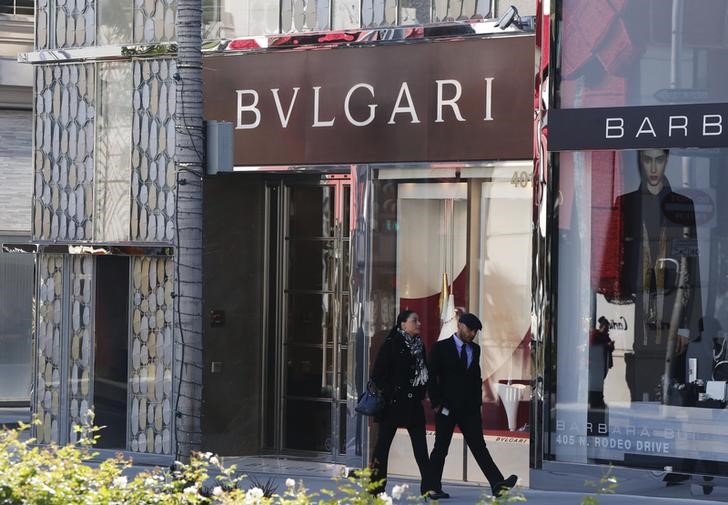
(189, 158)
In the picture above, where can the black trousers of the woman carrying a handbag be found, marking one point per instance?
(380, 457)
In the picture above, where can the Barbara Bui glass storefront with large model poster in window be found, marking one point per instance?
(630, 319)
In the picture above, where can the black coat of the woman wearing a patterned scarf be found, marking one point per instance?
(393, 371)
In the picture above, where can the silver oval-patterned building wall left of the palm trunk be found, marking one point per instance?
(103, 172)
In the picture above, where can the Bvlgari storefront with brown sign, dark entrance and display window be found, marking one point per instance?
(368, 178)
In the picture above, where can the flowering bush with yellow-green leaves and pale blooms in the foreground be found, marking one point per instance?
(52, 475)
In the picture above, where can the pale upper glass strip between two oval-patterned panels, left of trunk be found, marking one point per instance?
(113, 159)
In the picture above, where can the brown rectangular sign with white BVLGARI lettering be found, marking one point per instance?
(454, 100)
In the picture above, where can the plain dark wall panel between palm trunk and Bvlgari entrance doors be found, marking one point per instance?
(233, 265)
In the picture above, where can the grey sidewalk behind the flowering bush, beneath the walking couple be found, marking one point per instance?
(317, 476)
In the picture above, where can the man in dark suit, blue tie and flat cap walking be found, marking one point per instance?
(455, 390)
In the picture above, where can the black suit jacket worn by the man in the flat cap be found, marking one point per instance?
(451, 384)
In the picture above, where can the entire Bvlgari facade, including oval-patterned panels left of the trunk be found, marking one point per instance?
(359, 193)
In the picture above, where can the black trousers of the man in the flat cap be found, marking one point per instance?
(470, 425)
